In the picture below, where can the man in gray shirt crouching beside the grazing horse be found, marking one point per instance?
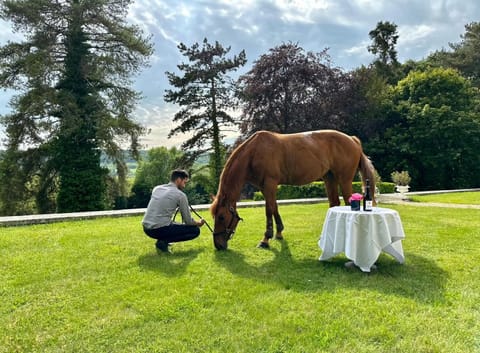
(157, 222)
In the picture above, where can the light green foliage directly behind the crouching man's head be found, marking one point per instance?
(155, 170)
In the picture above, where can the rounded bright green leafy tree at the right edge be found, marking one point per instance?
(436, 134)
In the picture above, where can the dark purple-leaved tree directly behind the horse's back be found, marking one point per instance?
(288, 90)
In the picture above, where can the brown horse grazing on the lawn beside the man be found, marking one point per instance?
(268, 159)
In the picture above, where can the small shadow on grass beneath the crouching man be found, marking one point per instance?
(169, 264)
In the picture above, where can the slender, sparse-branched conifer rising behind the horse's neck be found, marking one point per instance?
(205, 93)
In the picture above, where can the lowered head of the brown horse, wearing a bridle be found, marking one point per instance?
(226, 219)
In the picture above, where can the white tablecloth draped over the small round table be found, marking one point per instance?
(362, 236)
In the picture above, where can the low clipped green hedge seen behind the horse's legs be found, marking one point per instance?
(317, 189)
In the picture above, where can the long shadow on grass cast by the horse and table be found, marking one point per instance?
(419, 278)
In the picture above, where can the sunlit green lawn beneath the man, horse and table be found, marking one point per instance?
(99, 286)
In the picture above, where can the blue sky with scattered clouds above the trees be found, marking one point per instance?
(259, 25)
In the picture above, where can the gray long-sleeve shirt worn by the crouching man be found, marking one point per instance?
(163, 204)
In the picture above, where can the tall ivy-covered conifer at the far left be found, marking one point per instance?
(73, 71)
